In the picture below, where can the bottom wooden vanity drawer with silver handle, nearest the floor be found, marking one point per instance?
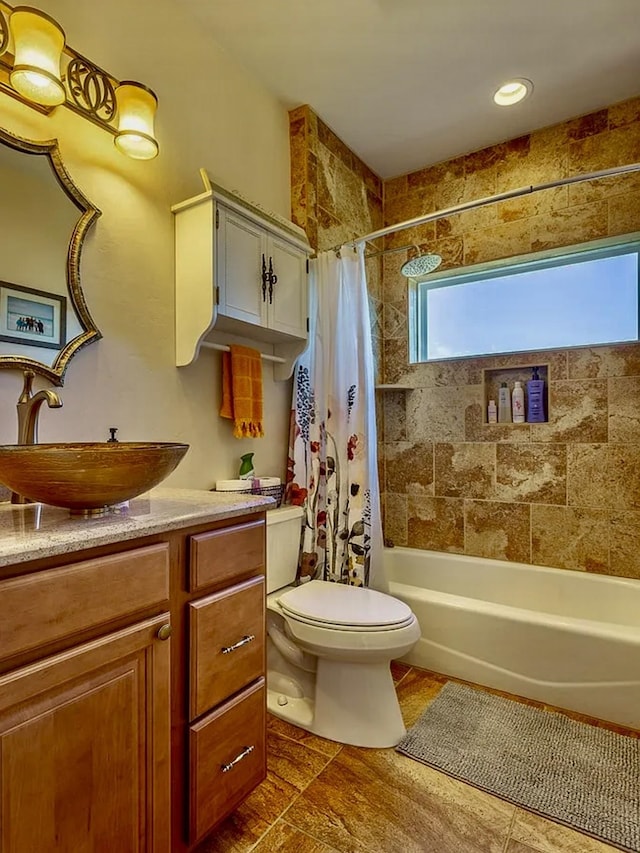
(227, 758)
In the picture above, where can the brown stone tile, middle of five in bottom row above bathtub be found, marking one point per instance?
(497, 530)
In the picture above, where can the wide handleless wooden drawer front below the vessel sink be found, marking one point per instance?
(46, 606)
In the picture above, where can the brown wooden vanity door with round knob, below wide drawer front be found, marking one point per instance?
(84, 748)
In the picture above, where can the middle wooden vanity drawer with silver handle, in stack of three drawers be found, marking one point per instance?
(223, 658)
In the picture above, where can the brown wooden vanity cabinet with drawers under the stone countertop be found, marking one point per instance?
(132, 685)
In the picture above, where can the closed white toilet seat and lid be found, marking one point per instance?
(345, 608)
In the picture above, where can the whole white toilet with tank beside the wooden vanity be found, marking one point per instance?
(329, 648)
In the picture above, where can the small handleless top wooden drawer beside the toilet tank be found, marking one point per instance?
(225, 555)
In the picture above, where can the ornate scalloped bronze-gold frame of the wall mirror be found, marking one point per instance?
(89, 214)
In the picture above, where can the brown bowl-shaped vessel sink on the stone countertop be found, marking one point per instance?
(87, 477)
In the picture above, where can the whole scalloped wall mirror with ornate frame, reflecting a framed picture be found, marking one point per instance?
(44, 219)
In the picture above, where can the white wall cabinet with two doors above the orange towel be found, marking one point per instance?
(239, 270)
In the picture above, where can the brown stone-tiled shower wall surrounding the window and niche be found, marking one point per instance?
(564, 494)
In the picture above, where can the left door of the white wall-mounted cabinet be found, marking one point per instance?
(240, 246)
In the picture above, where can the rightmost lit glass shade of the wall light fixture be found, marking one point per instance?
(136, 113)
